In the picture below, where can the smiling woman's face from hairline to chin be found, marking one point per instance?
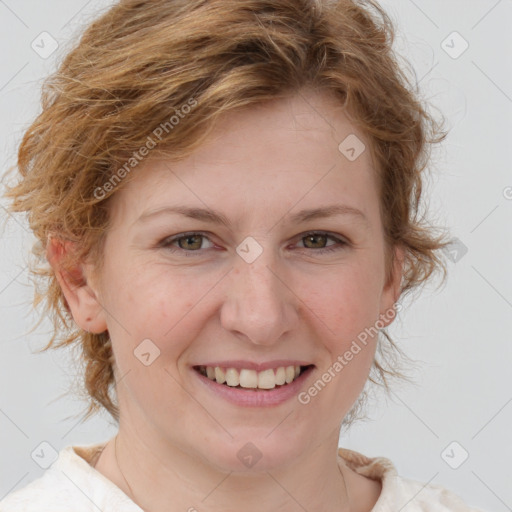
(249, 288)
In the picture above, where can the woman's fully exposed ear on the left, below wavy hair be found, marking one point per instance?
(76, 285)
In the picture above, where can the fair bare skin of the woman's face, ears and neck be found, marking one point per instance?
(177, 441)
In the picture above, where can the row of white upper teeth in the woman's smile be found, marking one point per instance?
(267, 379)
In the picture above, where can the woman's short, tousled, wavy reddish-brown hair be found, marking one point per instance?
(142, 61)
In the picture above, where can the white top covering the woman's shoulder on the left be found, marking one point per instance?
(70, 483)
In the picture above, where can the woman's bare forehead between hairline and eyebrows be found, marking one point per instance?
(264, 160)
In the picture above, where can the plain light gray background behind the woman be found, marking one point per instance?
(460, 333)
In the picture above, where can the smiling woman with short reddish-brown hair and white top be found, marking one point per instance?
(226, 192)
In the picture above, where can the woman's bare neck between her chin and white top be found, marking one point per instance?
(153, 476)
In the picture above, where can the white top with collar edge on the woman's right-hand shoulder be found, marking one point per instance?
(404, 494)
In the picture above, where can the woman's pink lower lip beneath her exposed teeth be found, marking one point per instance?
(267, 398)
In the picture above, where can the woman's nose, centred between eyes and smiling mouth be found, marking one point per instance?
(260, 304)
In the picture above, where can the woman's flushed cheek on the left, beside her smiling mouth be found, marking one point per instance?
(153, 320)
